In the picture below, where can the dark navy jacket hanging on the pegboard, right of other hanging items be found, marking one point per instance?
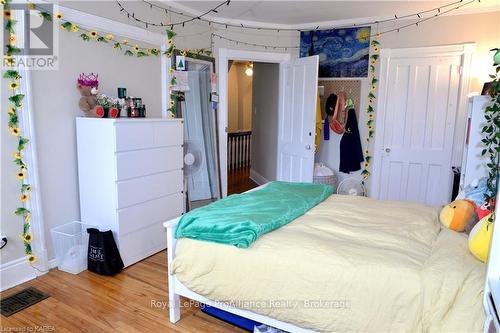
(351, 151)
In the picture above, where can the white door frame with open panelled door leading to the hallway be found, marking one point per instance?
(296, 96)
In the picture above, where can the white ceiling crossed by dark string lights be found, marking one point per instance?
(280, 14)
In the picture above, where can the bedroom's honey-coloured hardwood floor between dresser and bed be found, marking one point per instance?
(88, 302)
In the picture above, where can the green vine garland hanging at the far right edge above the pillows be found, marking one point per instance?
(491, 134)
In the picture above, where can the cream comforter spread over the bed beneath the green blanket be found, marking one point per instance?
(351, 264)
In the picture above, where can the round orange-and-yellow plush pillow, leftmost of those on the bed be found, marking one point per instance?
(459, 215)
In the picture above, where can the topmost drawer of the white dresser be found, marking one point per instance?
(143, 135)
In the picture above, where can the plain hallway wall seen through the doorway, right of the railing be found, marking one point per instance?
(265, 120)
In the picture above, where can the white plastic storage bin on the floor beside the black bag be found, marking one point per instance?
(70, 242)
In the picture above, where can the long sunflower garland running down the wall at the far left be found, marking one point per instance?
(16, 105)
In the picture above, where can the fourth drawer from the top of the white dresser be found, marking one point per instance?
(139, 216)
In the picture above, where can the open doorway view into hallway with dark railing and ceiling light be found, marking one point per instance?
(252, 128)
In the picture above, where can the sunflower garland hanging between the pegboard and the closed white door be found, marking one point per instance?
(370, 123)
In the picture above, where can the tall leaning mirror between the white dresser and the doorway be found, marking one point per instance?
(201, 154)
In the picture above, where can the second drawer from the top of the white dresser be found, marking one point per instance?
(138, 163)
